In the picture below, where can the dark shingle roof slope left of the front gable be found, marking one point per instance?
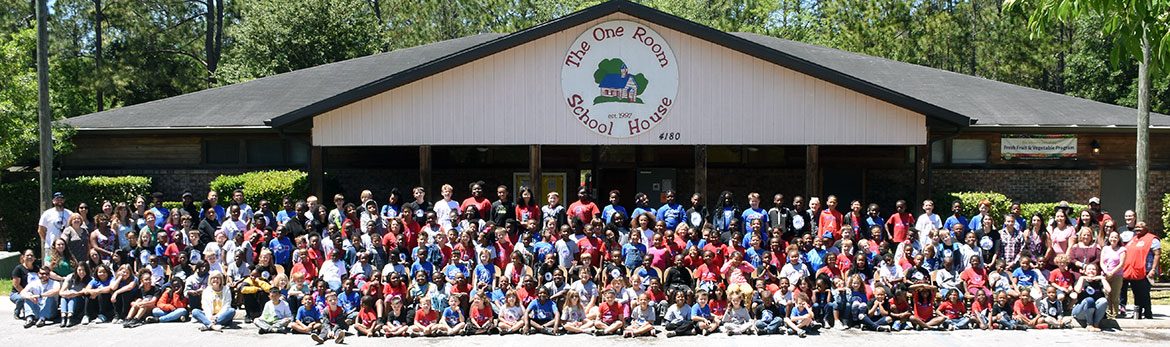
(254, 102)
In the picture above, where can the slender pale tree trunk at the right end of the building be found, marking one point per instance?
(1144, 128)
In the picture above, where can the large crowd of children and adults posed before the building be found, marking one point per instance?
(423, 268)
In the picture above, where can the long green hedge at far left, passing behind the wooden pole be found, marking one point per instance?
(22, 212)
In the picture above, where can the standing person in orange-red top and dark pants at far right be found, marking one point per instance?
(1141, 268)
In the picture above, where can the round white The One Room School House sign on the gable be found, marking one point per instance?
(620, 79)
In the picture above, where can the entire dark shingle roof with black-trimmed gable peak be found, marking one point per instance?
(945, 98)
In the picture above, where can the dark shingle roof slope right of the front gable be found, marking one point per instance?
(988, 102)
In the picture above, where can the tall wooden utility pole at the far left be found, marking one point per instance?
(43, 94)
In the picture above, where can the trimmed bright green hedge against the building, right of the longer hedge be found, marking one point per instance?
(265, 185)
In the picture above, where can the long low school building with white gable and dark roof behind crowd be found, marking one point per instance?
(621, 96)
